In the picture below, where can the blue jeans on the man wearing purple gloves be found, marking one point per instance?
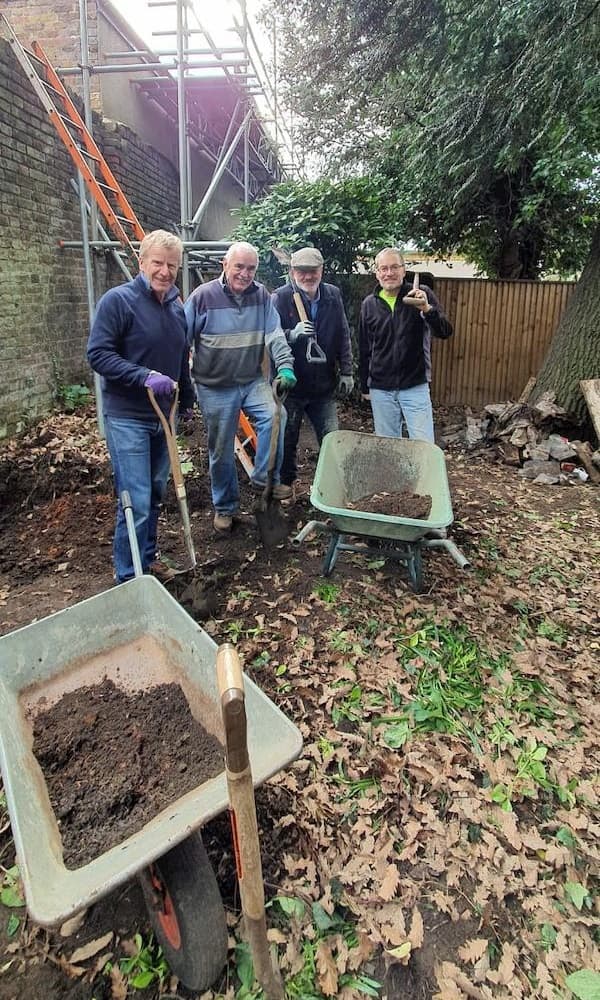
(140, 461)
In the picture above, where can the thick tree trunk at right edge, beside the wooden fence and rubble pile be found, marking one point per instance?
(574, 353)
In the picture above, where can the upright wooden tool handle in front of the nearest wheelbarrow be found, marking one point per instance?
(244, 828)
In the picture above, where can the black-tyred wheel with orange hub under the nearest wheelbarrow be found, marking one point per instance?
(187, 914)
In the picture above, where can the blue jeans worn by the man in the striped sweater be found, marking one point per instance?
(220, 408)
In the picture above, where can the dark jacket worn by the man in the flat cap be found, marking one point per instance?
(317, 381)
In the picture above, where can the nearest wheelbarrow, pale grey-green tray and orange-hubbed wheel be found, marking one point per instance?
(137, 635)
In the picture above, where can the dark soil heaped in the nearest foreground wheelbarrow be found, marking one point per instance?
(112, 760)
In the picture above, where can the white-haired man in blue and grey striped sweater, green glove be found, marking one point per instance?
(231, 321)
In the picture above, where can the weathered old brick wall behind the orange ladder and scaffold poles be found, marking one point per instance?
(44, 320)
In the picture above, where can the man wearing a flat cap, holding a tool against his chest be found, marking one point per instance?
(319, 337)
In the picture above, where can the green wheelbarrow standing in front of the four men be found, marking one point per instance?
(353, 465)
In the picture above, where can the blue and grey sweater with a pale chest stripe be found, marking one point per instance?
(230, 333)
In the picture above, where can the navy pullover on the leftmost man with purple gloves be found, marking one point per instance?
(133, 334)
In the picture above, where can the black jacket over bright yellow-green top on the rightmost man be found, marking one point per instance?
(395, 347)
